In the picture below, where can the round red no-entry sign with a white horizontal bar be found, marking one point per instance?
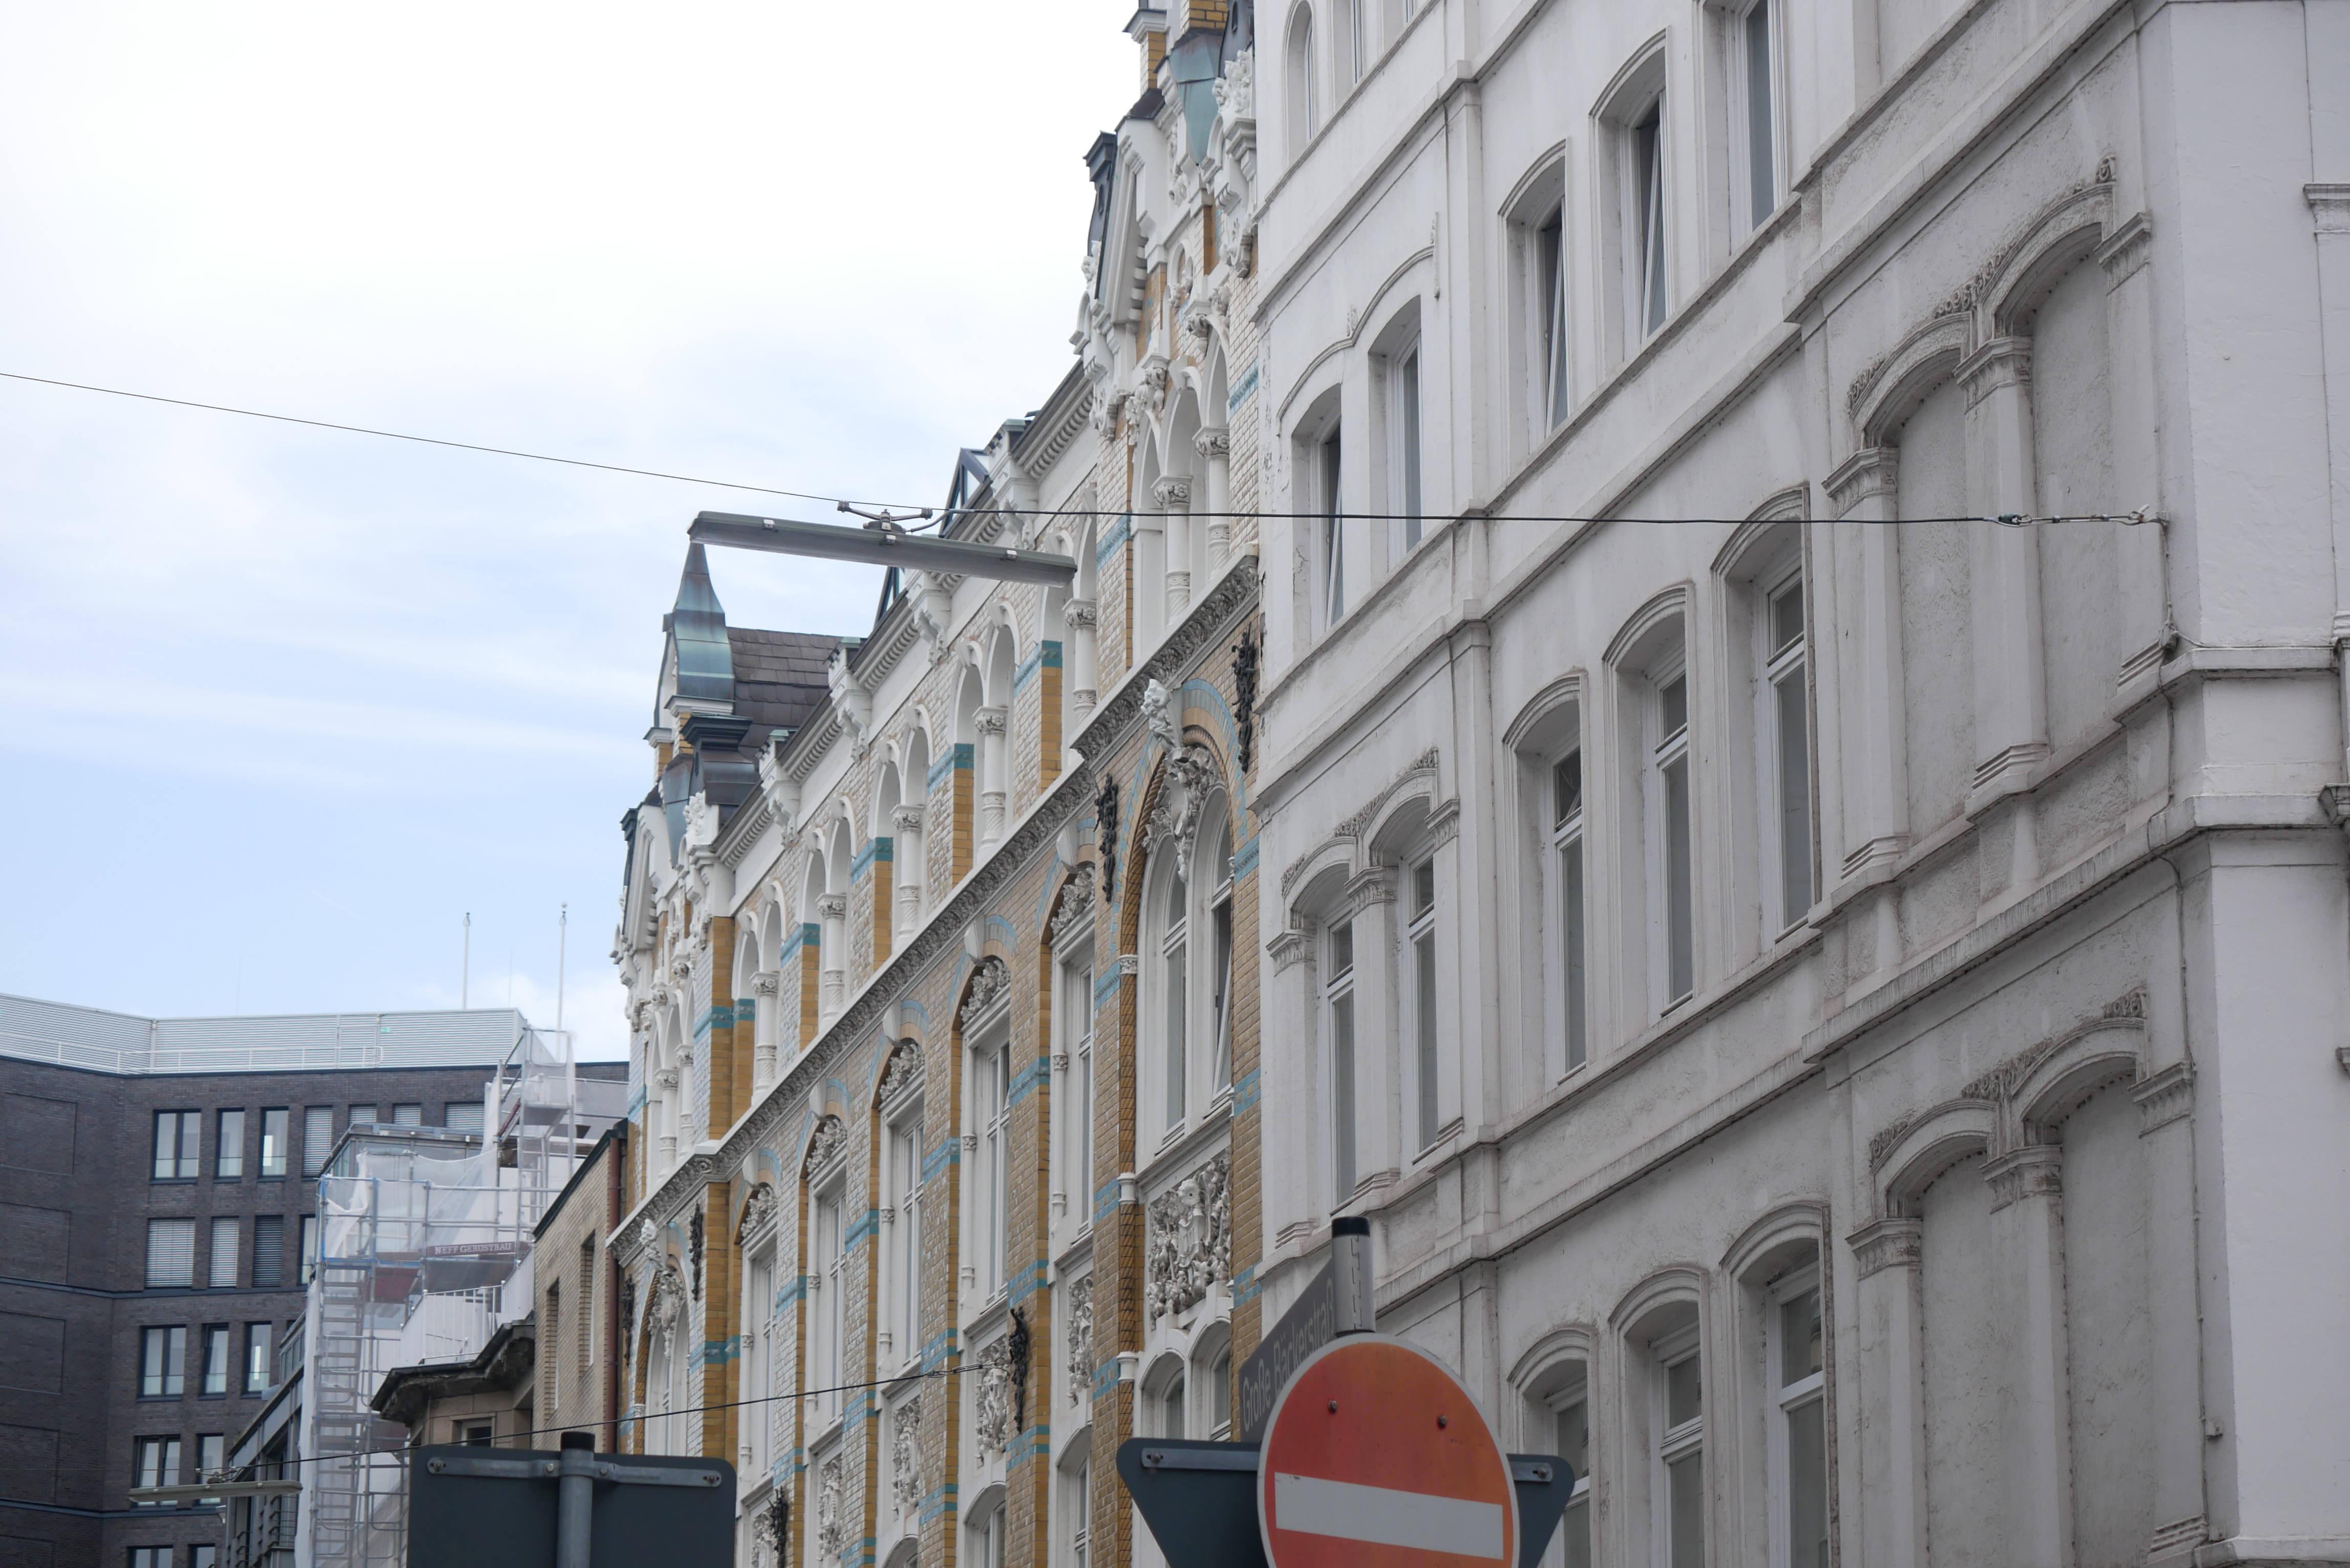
(1378, 1459)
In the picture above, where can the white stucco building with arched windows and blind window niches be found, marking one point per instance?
(1834, 1010)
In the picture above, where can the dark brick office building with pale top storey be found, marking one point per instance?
(156, 1221)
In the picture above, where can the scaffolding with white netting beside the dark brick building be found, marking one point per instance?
(424, 1254)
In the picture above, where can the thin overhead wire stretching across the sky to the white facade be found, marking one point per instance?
(939, 518)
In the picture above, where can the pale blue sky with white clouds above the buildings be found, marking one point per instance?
(283, 706)
